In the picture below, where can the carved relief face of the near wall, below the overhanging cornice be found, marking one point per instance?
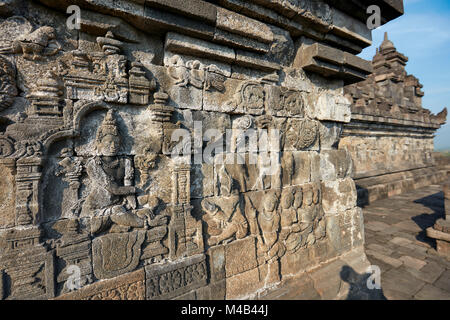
(120, 159)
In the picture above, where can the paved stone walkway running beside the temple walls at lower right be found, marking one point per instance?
(396, 241)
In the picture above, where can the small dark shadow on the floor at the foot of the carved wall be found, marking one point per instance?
(358, 285)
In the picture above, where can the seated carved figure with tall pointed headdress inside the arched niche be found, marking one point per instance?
(112, 196)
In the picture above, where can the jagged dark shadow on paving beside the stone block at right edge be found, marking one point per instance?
(434, 202)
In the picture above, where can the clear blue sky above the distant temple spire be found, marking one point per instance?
(423, 35)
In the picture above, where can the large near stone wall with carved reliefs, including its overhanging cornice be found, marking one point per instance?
(177, 149)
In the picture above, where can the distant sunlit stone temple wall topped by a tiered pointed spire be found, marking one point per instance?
(390, 137)
